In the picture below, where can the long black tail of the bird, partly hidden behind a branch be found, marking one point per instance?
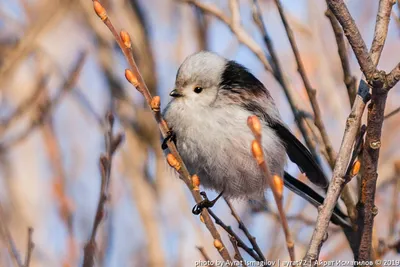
(306, 192)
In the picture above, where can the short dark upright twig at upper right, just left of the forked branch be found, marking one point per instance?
(349, 79)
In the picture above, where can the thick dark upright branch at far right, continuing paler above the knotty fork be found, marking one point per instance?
(366, 205)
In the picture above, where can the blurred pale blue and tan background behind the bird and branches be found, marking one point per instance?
(61, 71)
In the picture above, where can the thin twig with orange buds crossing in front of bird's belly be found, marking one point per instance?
(275, 183)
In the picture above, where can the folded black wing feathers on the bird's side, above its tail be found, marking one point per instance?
(300, 155)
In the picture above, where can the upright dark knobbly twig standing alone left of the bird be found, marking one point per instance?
(112, 143)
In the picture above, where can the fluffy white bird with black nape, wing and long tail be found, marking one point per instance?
(211, 102)
